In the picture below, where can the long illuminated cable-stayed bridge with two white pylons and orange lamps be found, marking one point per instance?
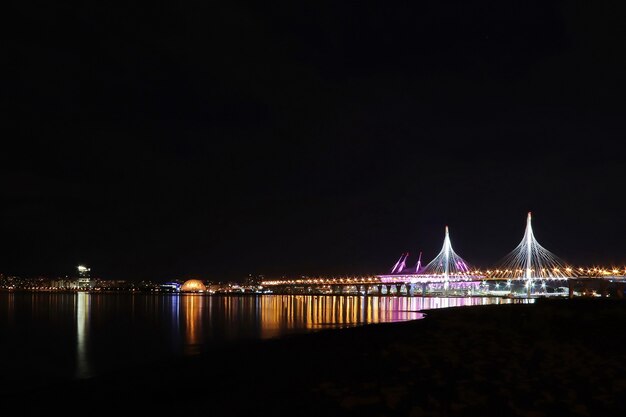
(528, 270)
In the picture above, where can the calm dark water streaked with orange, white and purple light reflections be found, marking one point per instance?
(78, 335)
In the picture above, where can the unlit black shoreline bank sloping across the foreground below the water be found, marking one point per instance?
(552, 358)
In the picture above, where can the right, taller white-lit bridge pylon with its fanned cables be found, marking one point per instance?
(530, 261)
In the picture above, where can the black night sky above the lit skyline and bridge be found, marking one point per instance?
(213, 140)
